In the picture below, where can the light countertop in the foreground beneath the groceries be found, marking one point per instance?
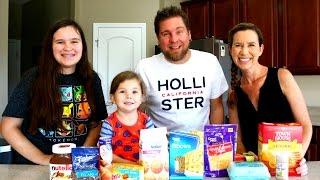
(37, 172)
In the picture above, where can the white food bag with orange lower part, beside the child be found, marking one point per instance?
(154, 154)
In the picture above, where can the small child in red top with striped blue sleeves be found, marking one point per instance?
(127, 92)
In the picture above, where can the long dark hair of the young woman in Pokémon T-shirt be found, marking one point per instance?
(46, 106)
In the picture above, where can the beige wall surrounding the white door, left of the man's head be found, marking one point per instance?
(117, 11)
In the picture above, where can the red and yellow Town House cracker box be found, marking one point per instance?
(280, 137)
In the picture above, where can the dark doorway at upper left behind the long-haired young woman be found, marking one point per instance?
(29, 21)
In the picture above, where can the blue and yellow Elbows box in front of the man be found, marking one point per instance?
(186, 155)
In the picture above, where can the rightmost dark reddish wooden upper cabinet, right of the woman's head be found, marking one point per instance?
(300, 36)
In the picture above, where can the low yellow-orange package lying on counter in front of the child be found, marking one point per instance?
(121, 171)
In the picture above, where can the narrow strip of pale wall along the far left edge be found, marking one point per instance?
(4, 8)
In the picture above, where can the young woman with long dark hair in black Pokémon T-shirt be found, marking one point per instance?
(59, 101)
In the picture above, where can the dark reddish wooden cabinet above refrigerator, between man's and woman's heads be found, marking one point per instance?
(209, 18)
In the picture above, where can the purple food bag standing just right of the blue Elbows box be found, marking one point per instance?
(219, 148)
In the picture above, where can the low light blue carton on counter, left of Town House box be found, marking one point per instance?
(248, 171)
